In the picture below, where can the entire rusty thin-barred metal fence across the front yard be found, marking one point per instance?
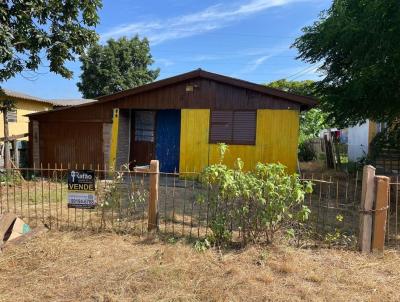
(39, 196)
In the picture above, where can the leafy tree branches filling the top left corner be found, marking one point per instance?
(33, 30)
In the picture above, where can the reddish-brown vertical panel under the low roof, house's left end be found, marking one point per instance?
(71, 143)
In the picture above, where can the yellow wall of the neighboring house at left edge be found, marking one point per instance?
(22, 125)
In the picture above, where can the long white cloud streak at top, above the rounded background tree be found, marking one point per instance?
(209, 19)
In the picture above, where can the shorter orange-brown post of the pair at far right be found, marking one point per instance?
(382, 184)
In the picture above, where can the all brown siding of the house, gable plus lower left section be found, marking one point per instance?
(75, 134)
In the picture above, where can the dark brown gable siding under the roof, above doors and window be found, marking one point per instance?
(206, 94)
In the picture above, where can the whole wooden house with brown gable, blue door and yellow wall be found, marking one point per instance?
(178, 121)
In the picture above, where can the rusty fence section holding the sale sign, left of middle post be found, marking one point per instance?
(39, 196)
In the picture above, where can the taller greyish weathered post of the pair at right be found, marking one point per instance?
(367, 202)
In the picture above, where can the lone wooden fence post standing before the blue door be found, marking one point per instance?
(153, 196)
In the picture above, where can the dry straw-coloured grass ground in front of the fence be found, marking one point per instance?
(68, 266)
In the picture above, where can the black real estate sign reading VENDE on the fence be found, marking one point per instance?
(81, 189)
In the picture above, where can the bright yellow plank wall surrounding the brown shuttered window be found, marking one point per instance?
(276, 141)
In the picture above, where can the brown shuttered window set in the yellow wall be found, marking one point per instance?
(233, 127)
